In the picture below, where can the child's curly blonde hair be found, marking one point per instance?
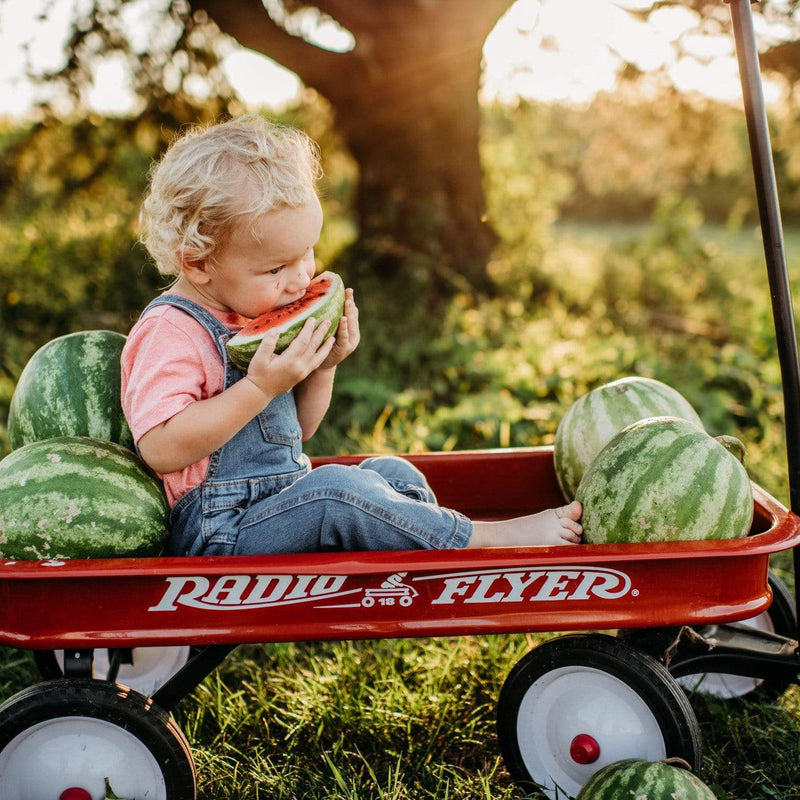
(216, 178)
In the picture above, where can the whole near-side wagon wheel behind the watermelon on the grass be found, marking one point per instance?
(579, 702)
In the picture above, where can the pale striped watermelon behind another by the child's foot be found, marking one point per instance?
(592, 421)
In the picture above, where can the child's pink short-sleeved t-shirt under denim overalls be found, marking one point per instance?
(168, 362)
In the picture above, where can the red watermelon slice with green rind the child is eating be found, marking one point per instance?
(324, 299)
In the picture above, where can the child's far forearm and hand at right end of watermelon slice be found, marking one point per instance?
(313, 395)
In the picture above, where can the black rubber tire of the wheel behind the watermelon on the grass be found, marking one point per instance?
(641, 672)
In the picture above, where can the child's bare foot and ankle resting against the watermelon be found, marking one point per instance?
(555, 526)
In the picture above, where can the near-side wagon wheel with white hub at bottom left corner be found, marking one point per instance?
(63, 738)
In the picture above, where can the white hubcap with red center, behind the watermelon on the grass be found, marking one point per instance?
(587, 705)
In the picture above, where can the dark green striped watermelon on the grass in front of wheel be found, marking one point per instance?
(644, 780)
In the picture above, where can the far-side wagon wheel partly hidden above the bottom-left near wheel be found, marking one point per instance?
(145, 669)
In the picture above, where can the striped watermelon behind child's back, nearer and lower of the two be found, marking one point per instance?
(75, 497)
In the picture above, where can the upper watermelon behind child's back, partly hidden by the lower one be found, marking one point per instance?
(71, 387)
